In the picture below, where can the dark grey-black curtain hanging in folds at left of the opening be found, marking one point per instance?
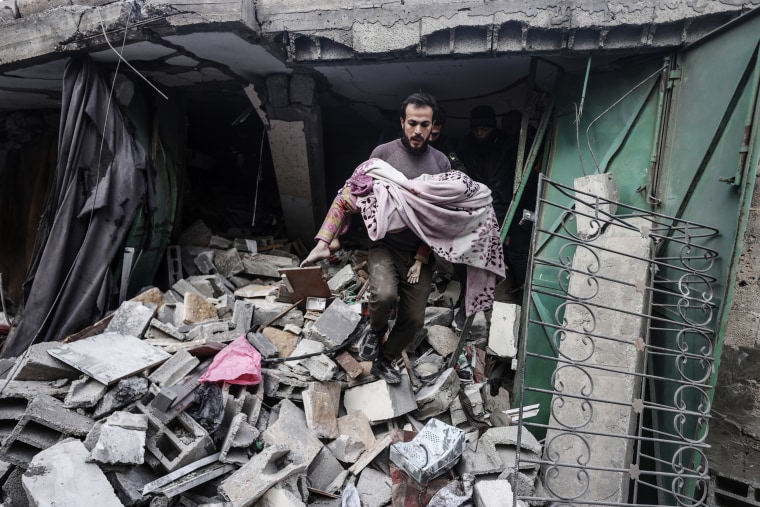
(101, 181)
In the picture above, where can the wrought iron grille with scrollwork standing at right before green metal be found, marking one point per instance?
(617, 347)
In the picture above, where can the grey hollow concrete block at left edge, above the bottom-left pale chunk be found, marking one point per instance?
(44, 422)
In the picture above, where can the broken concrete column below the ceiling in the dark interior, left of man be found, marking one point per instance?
(288, 107)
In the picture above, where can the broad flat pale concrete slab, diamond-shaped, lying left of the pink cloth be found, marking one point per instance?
(109, 357)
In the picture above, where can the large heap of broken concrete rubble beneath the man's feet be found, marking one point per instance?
(240, 386)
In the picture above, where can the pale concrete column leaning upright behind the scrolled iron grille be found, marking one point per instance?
(591, 402)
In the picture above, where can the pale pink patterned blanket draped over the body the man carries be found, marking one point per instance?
(448, 211)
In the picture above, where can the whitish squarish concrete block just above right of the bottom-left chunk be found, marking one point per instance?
(119, 440)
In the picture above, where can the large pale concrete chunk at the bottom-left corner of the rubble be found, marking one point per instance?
(61, 475)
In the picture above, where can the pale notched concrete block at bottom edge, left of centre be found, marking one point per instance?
(271, 466)
